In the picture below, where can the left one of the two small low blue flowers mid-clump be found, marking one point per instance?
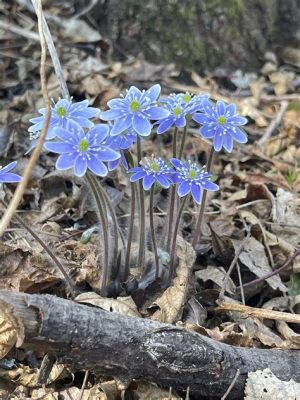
(152, 170)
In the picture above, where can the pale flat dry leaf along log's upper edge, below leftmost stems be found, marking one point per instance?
(121, 305)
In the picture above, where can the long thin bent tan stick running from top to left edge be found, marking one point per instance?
(36, 152)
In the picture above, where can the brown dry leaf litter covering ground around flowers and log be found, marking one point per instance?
(254, 220)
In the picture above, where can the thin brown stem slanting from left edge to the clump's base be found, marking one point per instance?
(47, 249)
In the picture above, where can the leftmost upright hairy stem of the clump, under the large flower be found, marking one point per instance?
(103, 218)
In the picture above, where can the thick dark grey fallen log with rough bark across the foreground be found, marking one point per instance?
(134, 348)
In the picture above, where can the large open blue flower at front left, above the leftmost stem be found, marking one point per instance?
(82, 151)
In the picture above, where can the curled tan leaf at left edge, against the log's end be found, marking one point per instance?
(11, 329)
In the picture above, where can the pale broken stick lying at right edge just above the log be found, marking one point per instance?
(259, 312)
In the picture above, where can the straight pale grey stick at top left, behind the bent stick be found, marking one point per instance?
(53, 53)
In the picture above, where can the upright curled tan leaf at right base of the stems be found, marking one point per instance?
(171, 302)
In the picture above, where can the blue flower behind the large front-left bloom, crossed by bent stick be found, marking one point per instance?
(63, 111)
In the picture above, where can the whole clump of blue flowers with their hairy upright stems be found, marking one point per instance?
(92, 150)
